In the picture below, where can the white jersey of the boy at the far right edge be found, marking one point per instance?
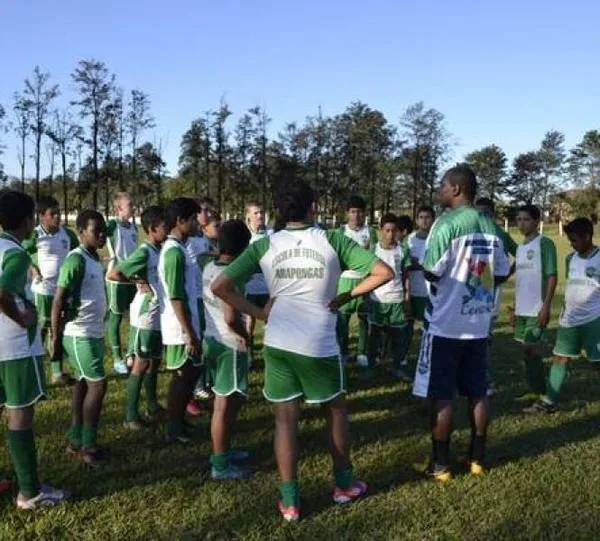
(582, 293)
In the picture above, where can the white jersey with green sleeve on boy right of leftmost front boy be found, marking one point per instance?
(82, 275)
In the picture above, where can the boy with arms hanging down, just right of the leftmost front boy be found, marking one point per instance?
(78, 327)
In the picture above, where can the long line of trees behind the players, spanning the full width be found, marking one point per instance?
(97, 145)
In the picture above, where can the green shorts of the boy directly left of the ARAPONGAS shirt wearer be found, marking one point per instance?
(227, 367)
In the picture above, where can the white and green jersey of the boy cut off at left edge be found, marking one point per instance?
(16, 342)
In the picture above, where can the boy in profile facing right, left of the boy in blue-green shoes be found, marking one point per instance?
(179, 320)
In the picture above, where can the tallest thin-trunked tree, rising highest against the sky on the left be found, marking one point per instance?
(94, 85)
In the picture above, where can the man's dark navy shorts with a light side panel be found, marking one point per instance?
(449, 364)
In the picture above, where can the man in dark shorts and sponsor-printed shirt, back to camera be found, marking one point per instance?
(464, 261)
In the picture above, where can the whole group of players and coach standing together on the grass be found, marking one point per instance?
(195, 288)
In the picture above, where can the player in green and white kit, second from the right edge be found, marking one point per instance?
(536, 277)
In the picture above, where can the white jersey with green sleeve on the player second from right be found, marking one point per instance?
(535, 262)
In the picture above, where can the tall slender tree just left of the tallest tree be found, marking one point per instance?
(38, 97)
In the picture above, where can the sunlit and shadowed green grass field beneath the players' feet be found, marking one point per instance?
(542, 483)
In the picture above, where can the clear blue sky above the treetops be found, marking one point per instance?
(501, 72)
